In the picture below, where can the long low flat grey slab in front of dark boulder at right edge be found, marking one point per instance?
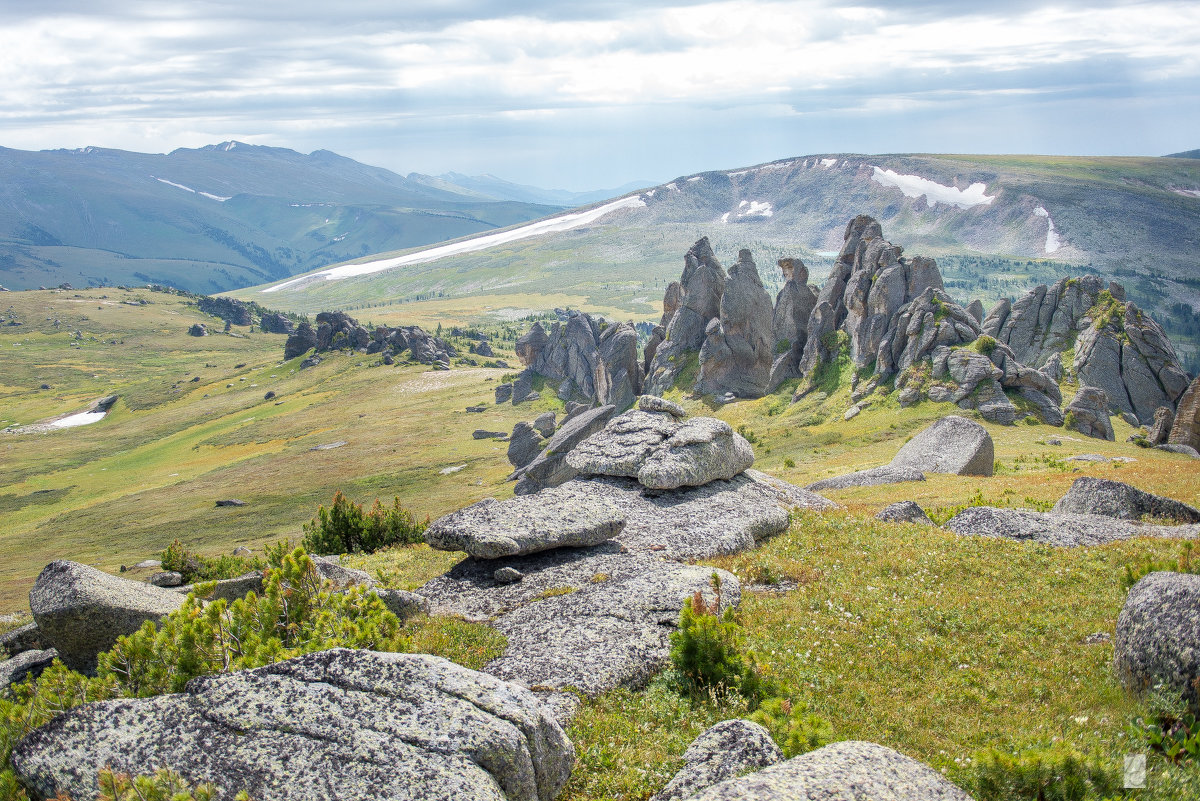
(1053, 529)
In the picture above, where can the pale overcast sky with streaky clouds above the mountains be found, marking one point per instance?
(592, 94)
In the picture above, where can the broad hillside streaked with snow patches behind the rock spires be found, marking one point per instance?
(998, 225)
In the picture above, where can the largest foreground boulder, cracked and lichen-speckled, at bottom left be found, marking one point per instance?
(286, 732)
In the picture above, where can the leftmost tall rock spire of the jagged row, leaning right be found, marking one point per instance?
(698, 303)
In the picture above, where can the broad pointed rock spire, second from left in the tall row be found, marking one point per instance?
(740, 345)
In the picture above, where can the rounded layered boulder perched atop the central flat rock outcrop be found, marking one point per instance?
(663, 453)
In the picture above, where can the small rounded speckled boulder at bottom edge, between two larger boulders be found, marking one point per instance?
(727, 750)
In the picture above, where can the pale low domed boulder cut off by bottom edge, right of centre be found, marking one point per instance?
(843, 772)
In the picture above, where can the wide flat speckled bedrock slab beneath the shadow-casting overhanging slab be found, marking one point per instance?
(591, 619)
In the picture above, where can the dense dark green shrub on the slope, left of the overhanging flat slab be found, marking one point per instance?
(345, 528)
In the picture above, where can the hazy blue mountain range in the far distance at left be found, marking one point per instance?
(217, 218)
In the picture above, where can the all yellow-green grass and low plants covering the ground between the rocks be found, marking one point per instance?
(976, 657)
